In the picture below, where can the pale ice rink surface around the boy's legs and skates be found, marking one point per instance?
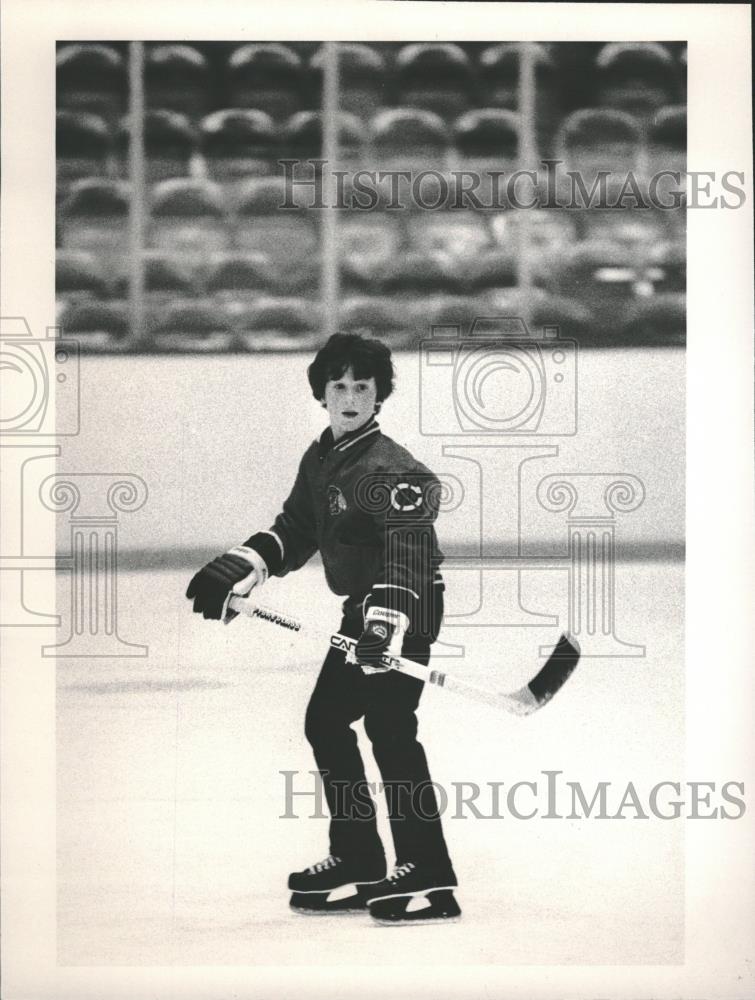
(173, 849)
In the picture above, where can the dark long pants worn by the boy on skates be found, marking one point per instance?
(387, 702)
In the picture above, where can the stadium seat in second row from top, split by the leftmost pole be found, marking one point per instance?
(169, 145)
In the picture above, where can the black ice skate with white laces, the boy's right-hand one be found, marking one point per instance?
(412, 894)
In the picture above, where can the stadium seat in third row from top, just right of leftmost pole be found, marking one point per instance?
(188, 219)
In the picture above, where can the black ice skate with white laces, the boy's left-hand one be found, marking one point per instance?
(334, 886)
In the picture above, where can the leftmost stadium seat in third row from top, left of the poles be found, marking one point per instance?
(94, 218)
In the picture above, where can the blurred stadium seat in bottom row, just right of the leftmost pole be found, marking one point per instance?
(187, 326)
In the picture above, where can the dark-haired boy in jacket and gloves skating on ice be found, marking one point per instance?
(368, 506)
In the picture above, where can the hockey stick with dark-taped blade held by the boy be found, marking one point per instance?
(523, 701)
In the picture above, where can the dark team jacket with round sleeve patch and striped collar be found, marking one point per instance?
(368, 506)
